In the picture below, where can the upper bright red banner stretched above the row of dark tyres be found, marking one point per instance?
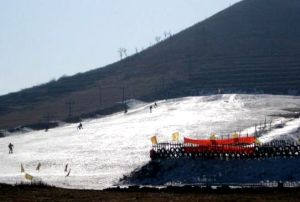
(229, 141)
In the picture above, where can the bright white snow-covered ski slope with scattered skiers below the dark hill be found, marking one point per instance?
(112, 146)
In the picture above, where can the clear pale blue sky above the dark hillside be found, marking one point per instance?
(42, 40)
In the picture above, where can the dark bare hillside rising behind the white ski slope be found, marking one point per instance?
(252, 46)
